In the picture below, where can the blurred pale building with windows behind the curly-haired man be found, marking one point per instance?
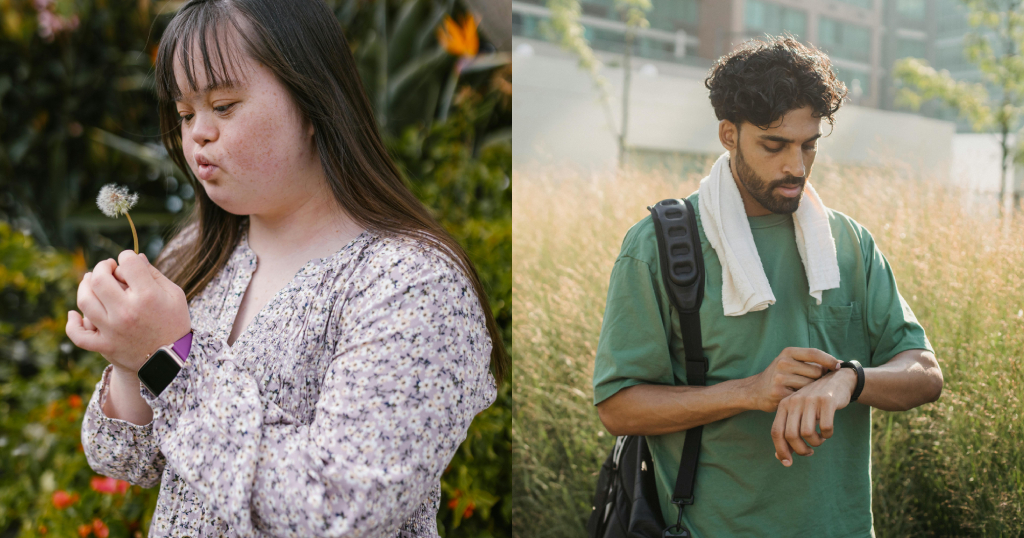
(558, 115)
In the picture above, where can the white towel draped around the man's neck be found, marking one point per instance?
(745, 286)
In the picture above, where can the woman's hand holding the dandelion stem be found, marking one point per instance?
(130, 311)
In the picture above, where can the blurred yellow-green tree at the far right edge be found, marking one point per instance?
(995, 46)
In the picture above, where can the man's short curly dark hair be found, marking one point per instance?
(763, 80)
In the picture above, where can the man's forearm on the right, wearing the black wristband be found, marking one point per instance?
(908, 381)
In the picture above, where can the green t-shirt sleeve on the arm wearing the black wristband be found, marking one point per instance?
(892, 326)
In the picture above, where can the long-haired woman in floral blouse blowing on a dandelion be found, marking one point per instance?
(337, 342)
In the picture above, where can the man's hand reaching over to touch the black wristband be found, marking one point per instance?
(794, 369)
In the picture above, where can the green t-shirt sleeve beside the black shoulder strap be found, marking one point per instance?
(633, 348)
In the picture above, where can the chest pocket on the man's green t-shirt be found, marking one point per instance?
(839, 332)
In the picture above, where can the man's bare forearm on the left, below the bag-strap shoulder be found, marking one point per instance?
(655, 410)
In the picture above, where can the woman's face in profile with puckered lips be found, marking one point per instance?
(247, 142)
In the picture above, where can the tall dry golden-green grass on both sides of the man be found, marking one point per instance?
(951, 469)
